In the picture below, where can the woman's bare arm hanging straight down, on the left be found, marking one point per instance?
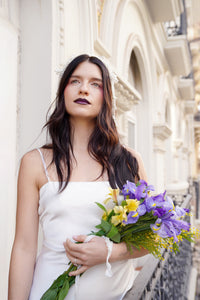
(25, 244)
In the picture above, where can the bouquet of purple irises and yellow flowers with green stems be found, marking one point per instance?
(138, 219)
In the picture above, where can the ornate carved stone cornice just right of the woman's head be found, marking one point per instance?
(126, 95)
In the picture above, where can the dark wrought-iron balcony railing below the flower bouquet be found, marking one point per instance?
(165, 279)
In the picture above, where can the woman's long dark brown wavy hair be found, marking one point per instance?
(103, 146)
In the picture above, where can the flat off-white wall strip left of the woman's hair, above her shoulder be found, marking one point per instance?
(36, 46)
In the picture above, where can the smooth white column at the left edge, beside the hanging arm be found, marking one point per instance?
(8, 109)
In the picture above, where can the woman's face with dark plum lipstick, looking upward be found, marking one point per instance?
(84, 92)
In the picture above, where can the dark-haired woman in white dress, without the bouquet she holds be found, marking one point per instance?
(59, 185)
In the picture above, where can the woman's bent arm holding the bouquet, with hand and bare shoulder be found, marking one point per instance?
(95, 252)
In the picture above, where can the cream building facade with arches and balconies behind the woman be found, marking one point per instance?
(146, 43)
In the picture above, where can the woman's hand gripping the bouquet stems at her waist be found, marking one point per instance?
(87, 254)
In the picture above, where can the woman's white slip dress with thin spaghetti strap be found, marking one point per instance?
(69, 213)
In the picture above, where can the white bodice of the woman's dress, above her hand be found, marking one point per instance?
(71, 212)
